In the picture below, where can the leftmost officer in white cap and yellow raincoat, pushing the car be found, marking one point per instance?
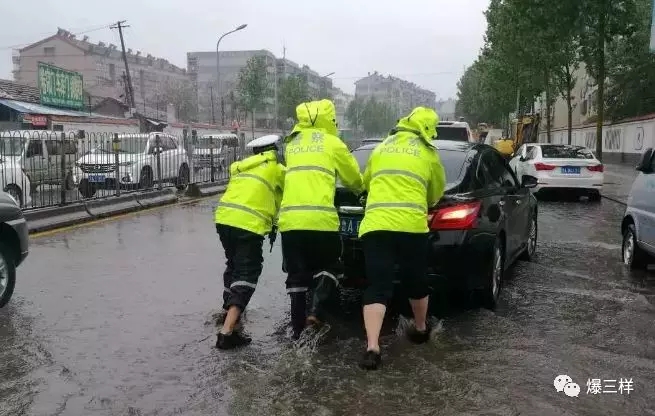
(244, 216)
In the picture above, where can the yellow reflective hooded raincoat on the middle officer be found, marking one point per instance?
(315, 157)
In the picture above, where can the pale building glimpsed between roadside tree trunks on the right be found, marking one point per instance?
(583, 95)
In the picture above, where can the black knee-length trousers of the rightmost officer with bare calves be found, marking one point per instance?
(383, 251)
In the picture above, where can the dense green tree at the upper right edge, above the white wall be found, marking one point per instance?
(631, 70)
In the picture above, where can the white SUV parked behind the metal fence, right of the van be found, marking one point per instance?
(137, 168)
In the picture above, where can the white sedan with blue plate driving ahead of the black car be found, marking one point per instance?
(561, 167)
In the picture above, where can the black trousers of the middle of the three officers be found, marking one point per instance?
(310, 255)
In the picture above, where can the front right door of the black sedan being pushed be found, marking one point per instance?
(514, 201)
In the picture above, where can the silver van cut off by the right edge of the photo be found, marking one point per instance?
(638, 226)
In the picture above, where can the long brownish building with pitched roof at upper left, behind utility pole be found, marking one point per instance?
(156, 81)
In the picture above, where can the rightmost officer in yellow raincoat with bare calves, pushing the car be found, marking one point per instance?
(404, 177)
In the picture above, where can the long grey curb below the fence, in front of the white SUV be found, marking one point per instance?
(47, 219)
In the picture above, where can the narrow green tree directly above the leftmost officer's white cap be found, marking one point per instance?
(253, 87)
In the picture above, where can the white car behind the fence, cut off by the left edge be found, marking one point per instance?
(13, 179)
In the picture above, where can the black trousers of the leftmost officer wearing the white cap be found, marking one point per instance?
(243, 266)
